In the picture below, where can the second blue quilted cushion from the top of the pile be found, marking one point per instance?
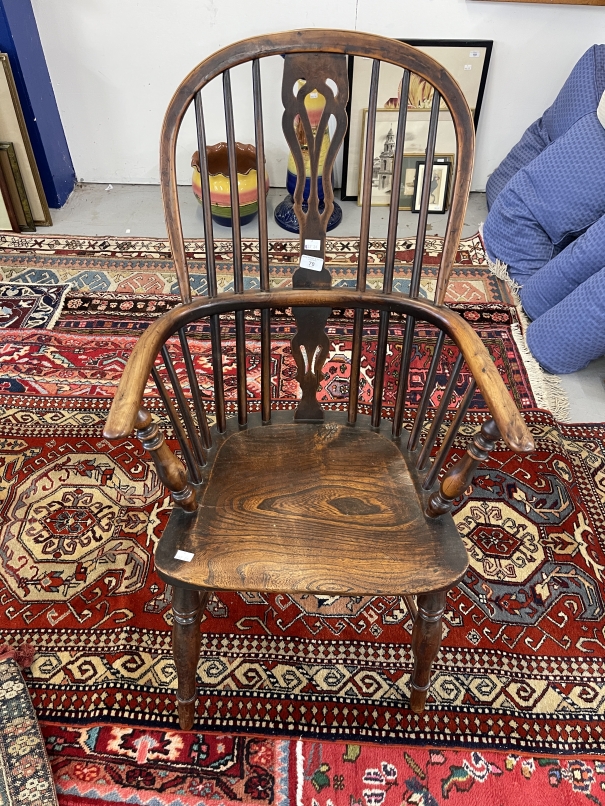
(549, 202)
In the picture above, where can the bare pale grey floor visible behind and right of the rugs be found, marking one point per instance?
(136, 211)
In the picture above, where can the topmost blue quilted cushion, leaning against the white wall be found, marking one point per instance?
(580, 94)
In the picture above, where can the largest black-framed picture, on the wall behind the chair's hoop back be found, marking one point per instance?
(466, 59)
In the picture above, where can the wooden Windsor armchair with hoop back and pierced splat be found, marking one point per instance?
(327, 502)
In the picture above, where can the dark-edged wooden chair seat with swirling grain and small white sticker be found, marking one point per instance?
(322, 508)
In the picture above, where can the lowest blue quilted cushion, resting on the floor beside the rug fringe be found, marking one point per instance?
(570, 335)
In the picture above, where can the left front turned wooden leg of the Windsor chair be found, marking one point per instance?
(187, 607)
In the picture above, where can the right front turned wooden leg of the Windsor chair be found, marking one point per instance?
(426, 640)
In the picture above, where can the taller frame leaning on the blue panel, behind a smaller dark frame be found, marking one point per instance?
(13, 130)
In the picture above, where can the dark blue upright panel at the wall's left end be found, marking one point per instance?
(19, 38)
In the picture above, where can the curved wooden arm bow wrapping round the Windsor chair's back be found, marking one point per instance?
(129, 395)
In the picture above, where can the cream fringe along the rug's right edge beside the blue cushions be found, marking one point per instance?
(547, 388)
